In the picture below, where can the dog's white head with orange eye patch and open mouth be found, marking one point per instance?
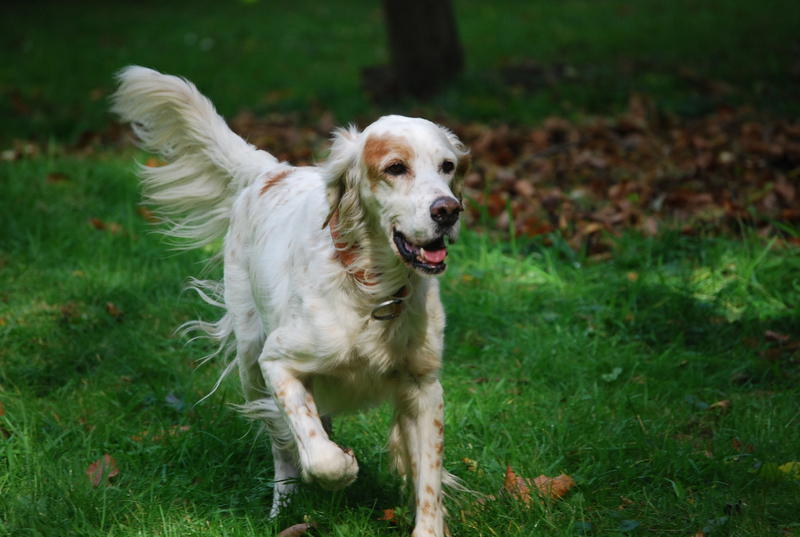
(401, 178)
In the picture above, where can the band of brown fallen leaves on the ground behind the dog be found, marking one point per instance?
(586, 180)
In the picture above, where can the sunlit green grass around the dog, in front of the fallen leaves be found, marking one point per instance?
(603, 370)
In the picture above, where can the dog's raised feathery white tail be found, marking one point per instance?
(207, 163)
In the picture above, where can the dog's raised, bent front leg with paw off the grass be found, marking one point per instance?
(320, 458)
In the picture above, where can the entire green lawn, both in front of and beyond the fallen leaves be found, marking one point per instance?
(661, 374)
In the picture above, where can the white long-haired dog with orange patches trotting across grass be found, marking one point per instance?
(328, 289)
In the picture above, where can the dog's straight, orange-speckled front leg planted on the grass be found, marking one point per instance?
(420, 423)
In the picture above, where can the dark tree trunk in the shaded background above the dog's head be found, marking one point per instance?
(423, 45)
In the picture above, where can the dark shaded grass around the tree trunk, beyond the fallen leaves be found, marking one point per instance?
(57, 58)
